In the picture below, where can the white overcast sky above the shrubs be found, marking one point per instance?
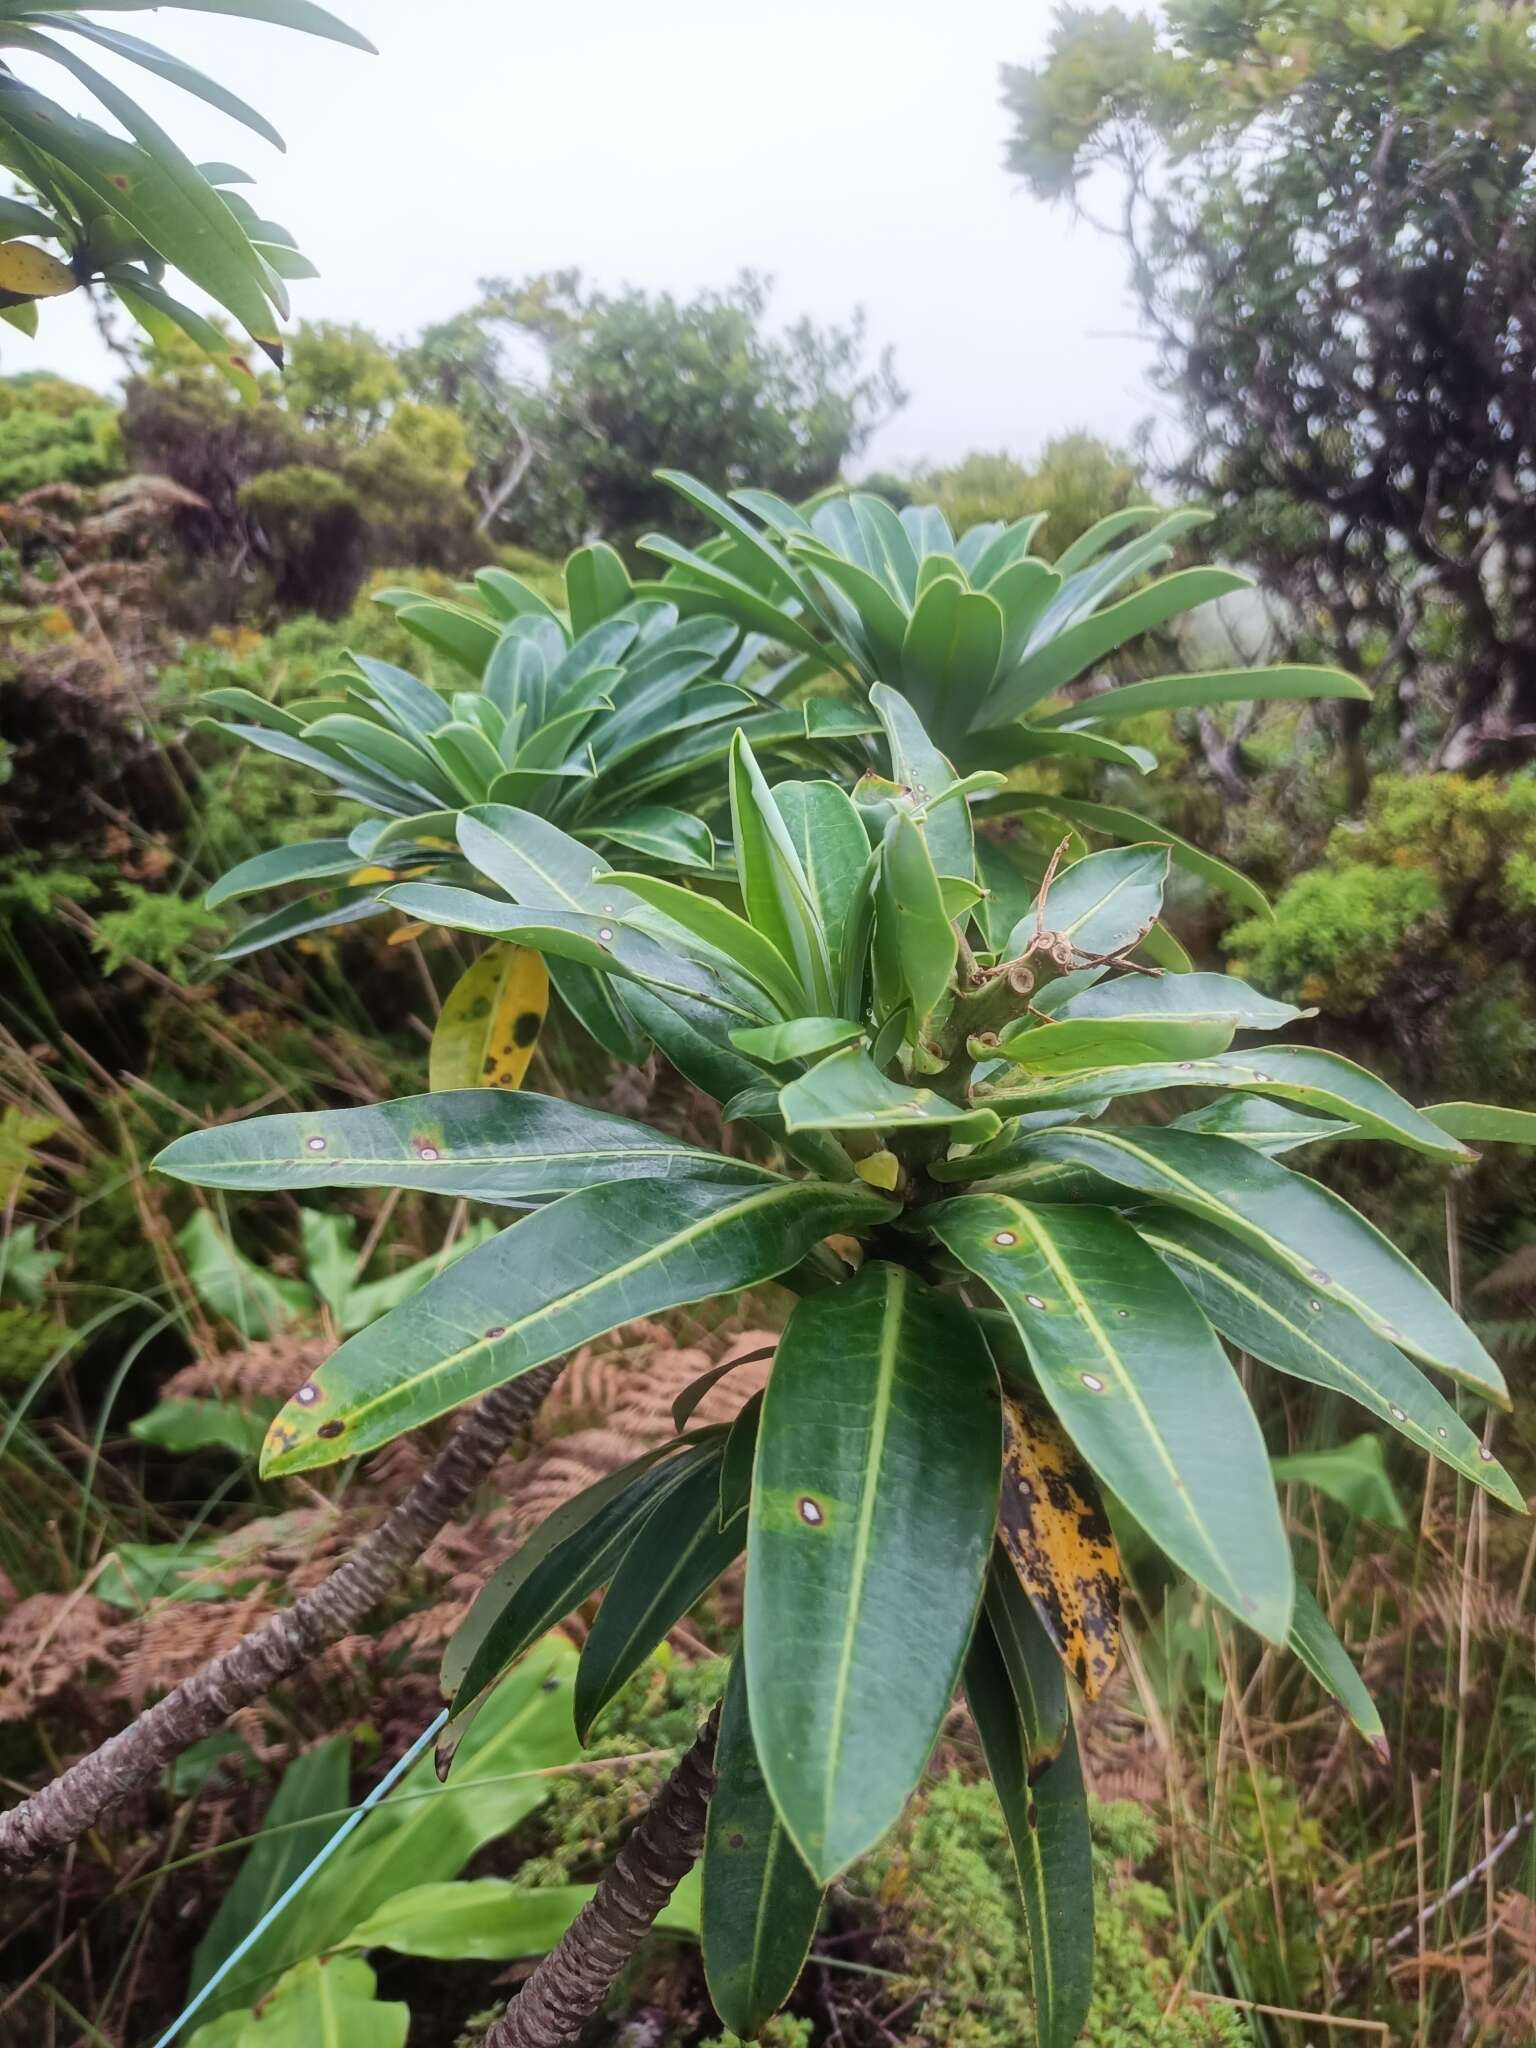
(851, 148)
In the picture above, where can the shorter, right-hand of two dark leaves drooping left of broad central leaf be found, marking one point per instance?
(671, 1564)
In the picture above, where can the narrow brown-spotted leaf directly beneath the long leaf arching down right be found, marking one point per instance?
(1277, 1318)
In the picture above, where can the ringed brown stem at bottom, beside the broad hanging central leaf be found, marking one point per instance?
(577, 1977)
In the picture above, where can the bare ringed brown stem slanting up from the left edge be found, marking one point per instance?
(286, 1644)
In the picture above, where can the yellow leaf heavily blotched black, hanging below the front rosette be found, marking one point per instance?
(1060, 1543)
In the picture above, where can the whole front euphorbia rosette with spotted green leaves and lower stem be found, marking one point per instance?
(1013, 1324)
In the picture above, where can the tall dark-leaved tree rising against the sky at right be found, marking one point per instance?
(1332, 230)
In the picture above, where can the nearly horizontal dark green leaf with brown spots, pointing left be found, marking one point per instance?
(486, 1146)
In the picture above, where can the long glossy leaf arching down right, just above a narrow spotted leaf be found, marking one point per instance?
(1308, 1230)
